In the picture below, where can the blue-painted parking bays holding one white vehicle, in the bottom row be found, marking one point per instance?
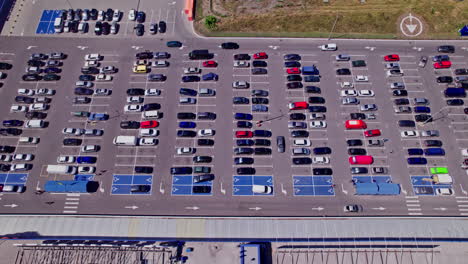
(242, 185)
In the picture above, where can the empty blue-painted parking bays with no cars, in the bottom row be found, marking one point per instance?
(313, 185)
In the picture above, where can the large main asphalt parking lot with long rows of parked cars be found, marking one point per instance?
(325, 184)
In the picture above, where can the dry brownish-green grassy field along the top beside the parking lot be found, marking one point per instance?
(313, 18)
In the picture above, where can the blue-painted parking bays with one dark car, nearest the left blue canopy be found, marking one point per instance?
(121, 184)
